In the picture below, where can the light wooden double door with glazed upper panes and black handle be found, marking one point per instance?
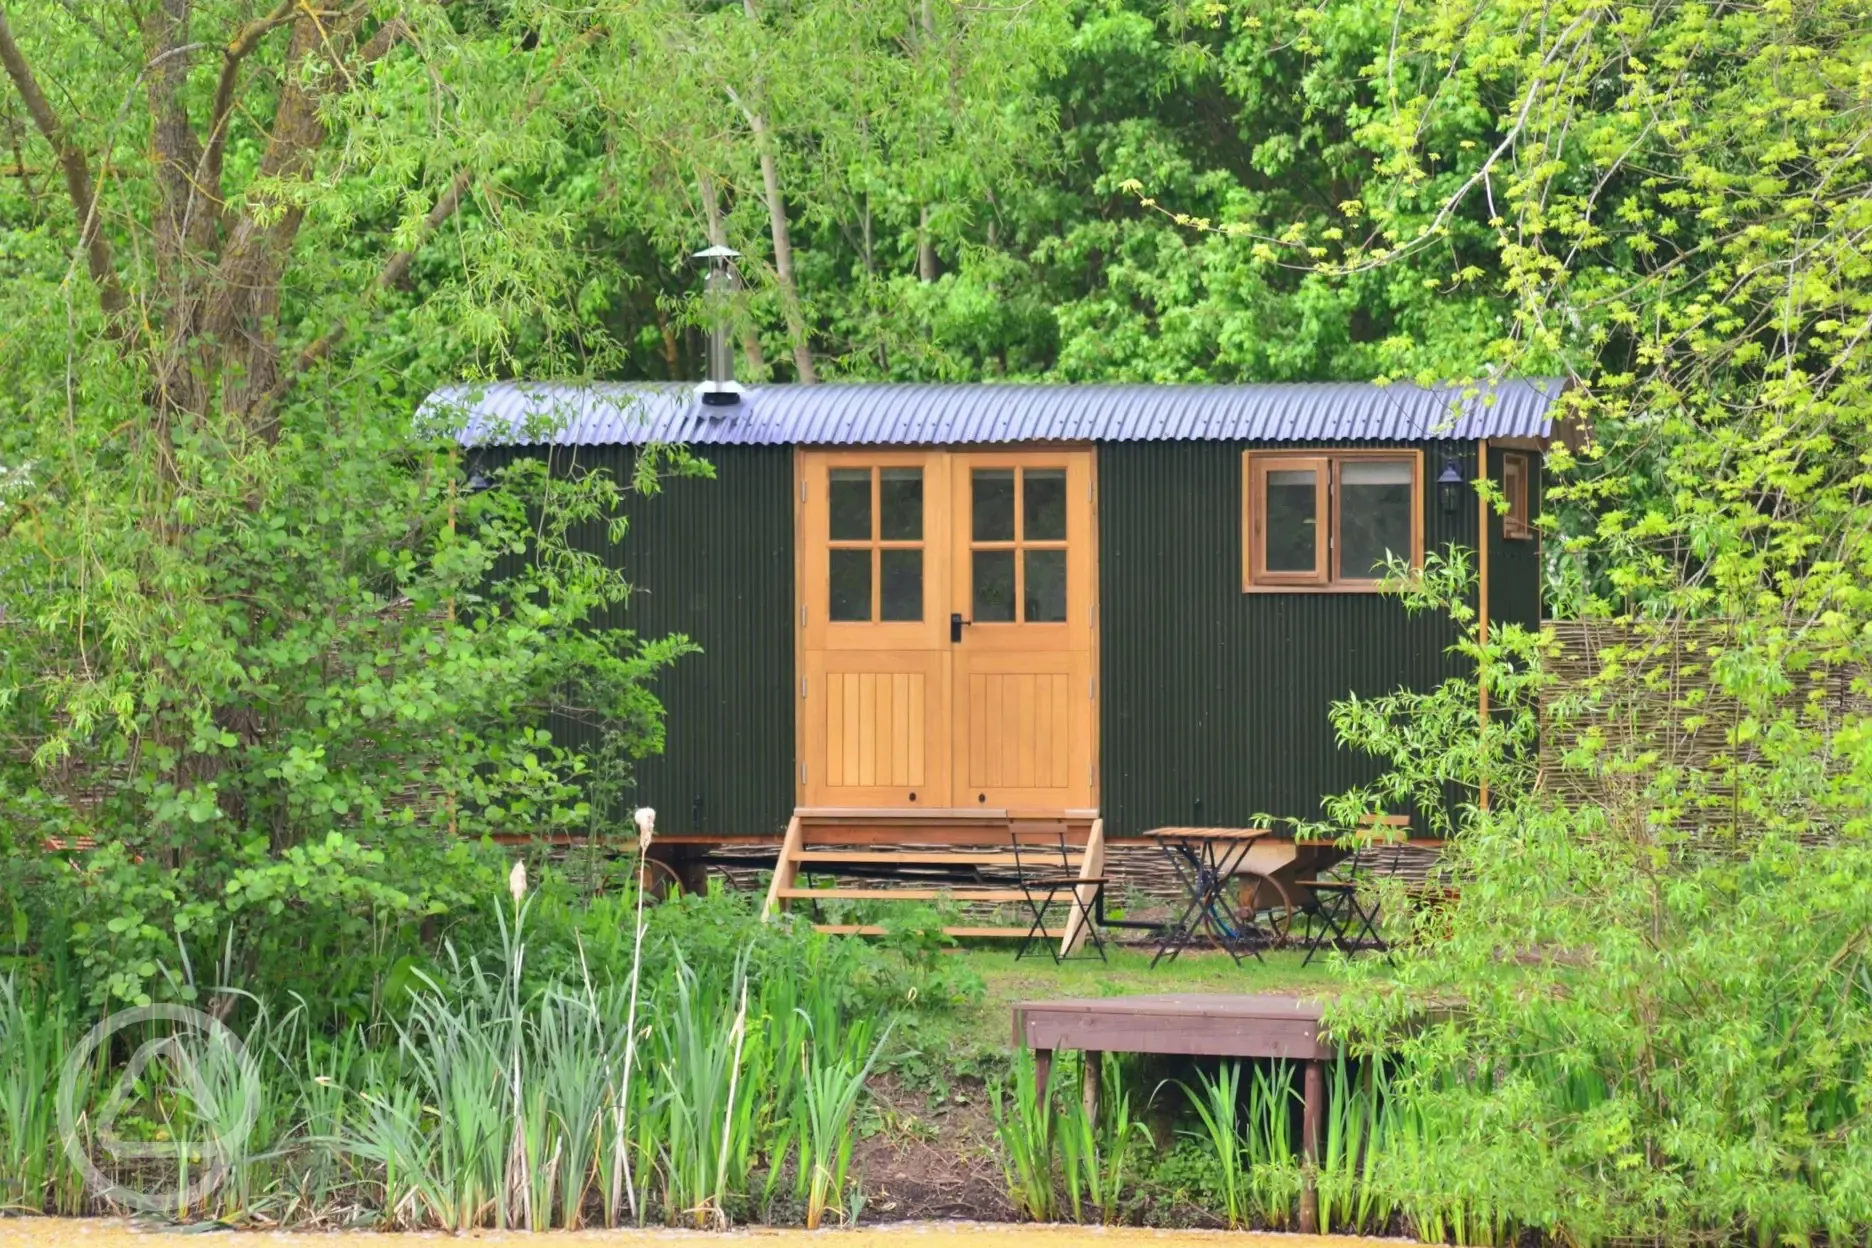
(948, 630)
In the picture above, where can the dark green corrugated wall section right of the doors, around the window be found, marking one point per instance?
(1214, 704)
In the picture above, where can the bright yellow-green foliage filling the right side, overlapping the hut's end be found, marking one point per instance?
(1660, 953)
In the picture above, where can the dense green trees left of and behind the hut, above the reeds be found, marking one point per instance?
(242, 240)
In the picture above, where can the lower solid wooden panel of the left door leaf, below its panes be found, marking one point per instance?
(877, 729)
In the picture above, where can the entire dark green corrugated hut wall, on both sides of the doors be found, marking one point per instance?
(1212, 701)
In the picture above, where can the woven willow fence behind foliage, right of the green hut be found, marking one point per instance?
(1639, 725)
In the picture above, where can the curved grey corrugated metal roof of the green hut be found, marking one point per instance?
(913, 414)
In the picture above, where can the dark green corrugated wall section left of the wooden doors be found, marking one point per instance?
(712, 560)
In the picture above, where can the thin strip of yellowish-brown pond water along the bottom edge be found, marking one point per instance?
(115, 1234)
